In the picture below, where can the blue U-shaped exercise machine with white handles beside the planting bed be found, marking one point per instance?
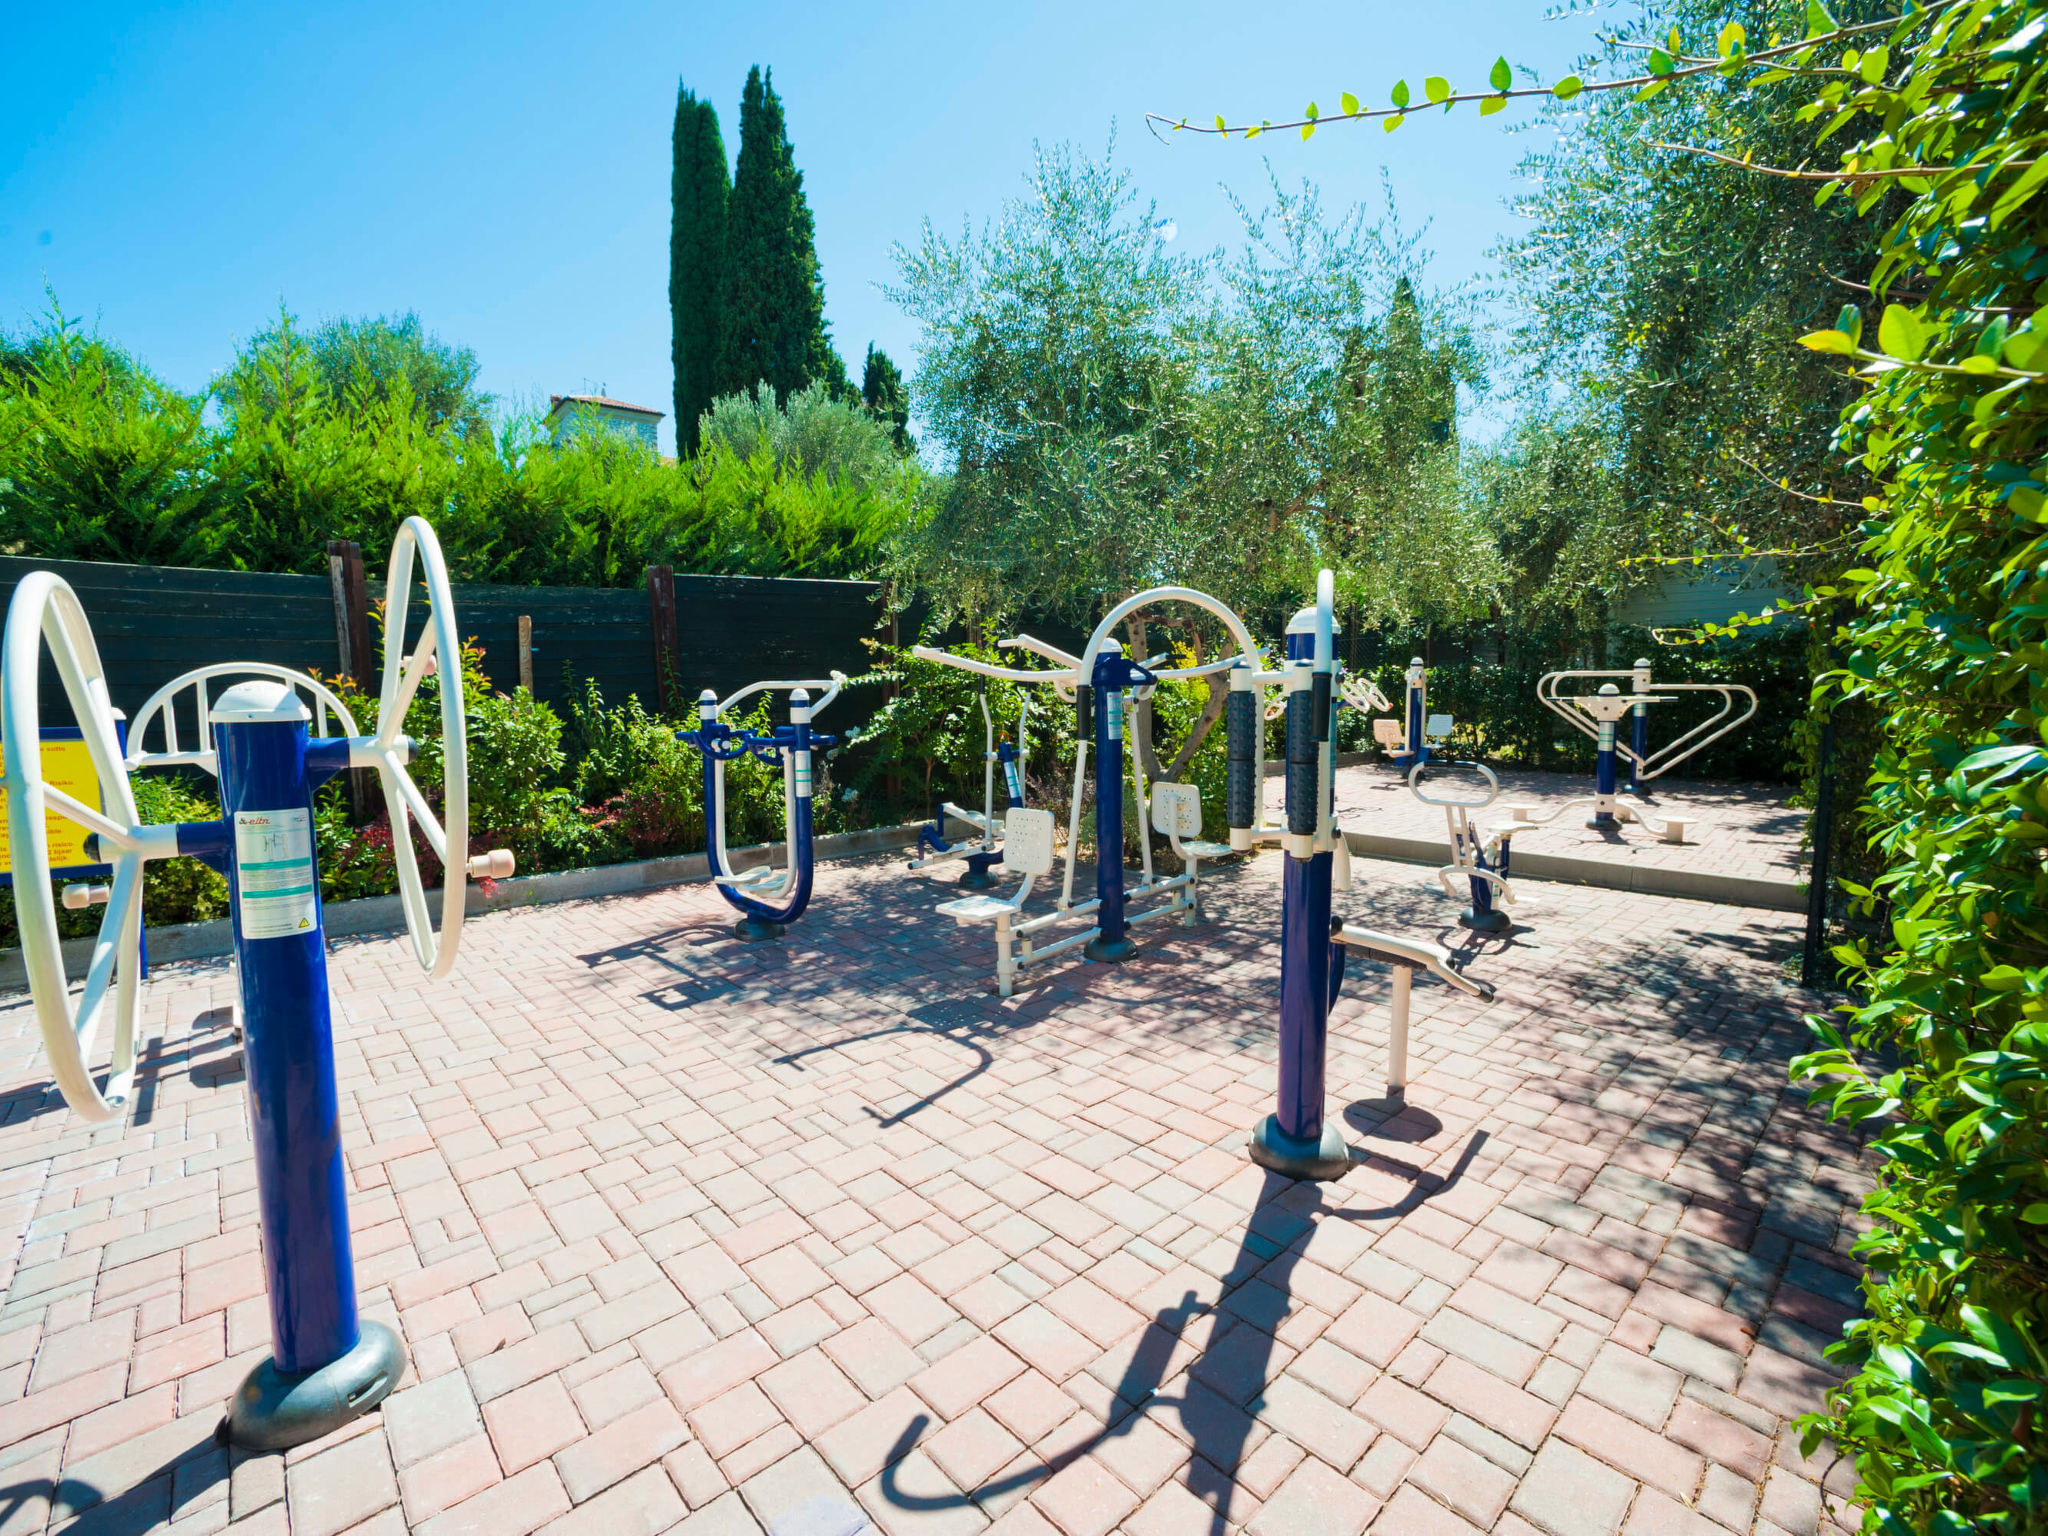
(767, 898)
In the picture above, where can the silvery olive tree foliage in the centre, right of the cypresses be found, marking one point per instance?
(1121, 417)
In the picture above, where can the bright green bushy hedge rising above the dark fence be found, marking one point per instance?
(345, 433)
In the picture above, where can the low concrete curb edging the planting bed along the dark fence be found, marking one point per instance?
(384, 914)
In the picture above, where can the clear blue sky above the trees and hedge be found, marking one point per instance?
(177, 171)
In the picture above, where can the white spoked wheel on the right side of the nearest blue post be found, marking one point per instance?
(450, 833)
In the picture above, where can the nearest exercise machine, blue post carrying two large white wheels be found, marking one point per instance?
(327, 1363)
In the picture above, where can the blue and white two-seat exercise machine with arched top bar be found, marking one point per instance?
(1099, 683)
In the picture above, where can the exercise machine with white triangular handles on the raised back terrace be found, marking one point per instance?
(1601, 718)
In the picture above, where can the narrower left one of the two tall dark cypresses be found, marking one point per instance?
(699, 191)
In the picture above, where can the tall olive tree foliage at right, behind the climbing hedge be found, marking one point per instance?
(1668, 296)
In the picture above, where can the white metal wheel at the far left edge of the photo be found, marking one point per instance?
(46, 609)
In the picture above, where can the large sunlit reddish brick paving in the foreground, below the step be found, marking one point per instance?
(687, 1236)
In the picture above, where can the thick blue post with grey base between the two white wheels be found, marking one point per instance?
(327, 1365)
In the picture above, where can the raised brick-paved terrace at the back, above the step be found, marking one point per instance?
(1744, 830)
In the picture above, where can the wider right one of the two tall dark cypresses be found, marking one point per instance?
(773, 323)
